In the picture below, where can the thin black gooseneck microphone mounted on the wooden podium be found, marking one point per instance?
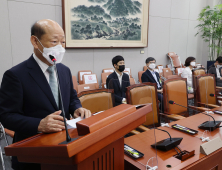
(68, 138)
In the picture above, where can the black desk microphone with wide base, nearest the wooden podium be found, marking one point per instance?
(166, 144)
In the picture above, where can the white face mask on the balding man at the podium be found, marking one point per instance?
(57, 51)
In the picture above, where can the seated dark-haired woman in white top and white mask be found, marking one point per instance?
(190, 63)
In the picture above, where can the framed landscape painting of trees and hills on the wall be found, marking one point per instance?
(106, 23)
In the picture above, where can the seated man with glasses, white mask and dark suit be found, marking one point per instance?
(153, 77)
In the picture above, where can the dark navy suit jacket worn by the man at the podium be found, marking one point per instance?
(26, 97)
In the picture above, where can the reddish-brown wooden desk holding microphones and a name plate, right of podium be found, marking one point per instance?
(142, 142)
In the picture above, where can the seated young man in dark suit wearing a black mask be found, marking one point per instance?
(118, 80)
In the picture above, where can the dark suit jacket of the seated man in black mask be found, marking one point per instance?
(112, 82)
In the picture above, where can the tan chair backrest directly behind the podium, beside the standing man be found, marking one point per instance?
(97, 100)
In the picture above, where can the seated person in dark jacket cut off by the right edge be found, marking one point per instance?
(216, 70)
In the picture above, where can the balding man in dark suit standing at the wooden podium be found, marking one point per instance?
(29, 97)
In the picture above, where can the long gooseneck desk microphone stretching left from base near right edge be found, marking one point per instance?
(208, 125)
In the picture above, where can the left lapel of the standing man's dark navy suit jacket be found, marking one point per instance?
(39, 77)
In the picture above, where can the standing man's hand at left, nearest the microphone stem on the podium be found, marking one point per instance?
(52, 123)
